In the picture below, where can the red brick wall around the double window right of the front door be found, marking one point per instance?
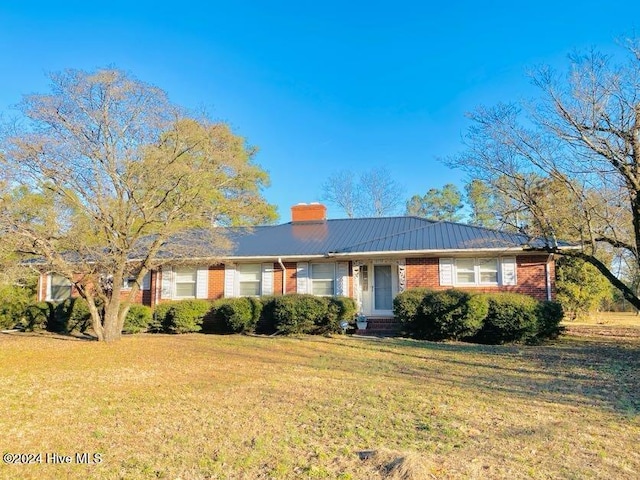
(423, 272)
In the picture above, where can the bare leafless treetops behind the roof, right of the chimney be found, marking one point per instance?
(374, 194)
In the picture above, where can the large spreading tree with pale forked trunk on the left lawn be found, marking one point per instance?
(105, 175)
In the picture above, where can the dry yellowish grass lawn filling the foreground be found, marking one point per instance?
(198, 406)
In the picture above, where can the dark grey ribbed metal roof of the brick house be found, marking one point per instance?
(371, 235)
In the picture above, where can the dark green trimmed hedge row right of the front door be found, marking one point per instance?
(482, 318)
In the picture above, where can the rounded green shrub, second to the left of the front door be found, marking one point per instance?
(299, 313)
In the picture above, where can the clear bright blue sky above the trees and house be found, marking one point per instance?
(317, 86)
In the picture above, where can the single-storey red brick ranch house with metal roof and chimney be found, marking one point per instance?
(368, 259)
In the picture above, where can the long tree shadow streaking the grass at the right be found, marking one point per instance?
(572, 371)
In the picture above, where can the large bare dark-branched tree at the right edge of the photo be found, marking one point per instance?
(571, 158)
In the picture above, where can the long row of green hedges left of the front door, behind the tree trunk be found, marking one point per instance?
(288, 314)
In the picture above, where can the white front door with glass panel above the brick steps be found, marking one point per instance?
(378, 284)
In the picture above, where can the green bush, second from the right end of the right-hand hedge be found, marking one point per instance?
(512, 317)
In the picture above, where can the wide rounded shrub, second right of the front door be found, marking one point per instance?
(450, 314)
